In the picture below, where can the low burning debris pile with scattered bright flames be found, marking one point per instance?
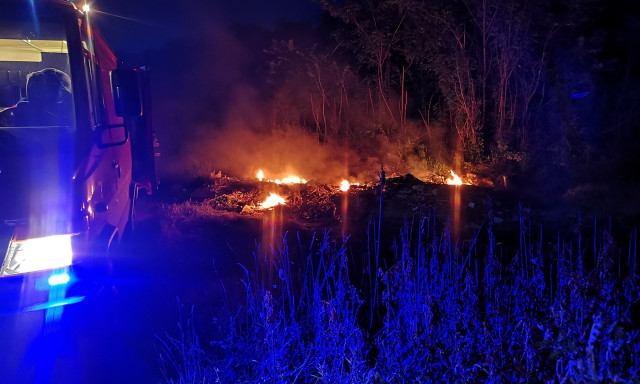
(310, 200)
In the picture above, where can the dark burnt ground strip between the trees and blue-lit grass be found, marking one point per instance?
(195, 205)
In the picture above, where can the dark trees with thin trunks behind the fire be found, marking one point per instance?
(503, 79)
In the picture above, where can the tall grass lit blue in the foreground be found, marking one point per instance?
(447, 311)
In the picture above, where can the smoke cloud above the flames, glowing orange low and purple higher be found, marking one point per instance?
(214, 111)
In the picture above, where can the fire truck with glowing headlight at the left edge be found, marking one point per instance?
(76, 143)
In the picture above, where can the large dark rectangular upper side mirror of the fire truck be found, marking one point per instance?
(126, 93)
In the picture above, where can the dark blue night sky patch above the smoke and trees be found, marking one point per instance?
(151, 23)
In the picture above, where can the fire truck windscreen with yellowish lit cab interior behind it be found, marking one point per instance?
(35, 78)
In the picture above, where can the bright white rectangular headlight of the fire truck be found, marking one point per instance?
(37, 254)
